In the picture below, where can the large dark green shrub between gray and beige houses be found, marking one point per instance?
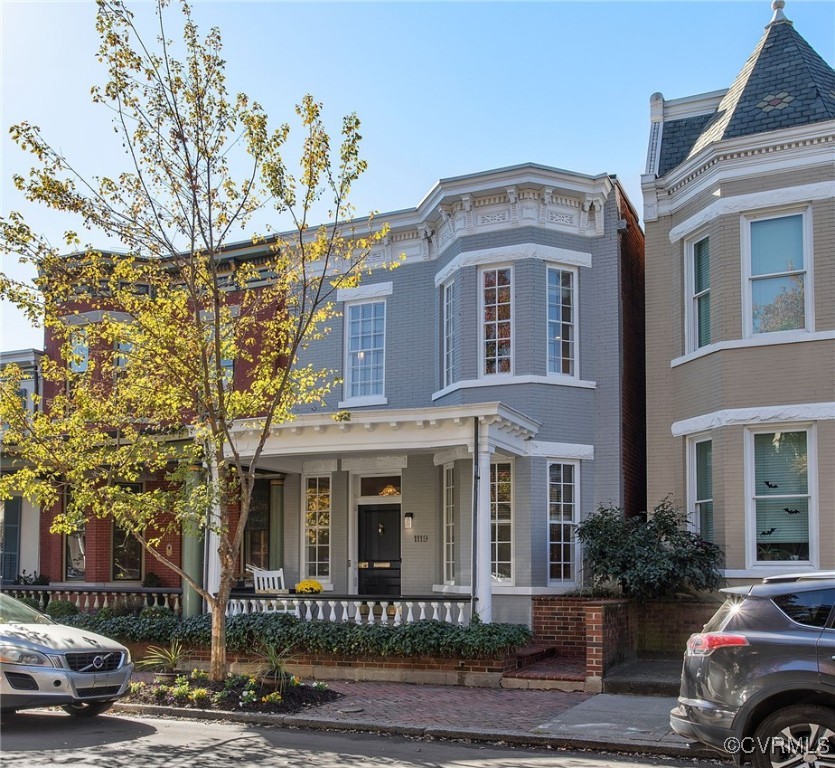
(649, 557)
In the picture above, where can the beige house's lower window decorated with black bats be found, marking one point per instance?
(781, 500)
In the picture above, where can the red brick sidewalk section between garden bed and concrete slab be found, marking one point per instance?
(432, 706)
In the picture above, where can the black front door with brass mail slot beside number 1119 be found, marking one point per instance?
(379, 549)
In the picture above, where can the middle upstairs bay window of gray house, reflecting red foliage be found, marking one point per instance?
(497, 320)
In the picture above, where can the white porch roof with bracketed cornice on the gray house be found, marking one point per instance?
(447, 431)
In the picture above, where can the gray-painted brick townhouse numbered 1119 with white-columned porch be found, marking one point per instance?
(494, 382)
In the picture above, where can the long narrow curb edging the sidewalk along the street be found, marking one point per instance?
(480, 735)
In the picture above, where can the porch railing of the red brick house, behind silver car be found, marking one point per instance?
(88, 598)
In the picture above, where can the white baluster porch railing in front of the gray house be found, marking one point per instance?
(359, 609)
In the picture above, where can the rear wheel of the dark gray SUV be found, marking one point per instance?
(803, 735)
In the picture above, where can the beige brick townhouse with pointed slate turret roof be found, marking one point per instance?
(739, 204)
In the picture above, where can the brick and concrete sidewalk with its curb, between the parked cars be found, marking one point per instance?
(606, 722)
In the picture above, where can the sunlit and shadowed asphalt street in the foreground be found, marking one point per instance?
(51, 738)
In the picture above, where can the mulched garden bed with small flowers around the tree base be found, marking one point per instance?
(238, 693)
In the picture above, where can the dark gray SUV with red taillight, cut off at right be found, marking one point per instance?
(758, 682)
